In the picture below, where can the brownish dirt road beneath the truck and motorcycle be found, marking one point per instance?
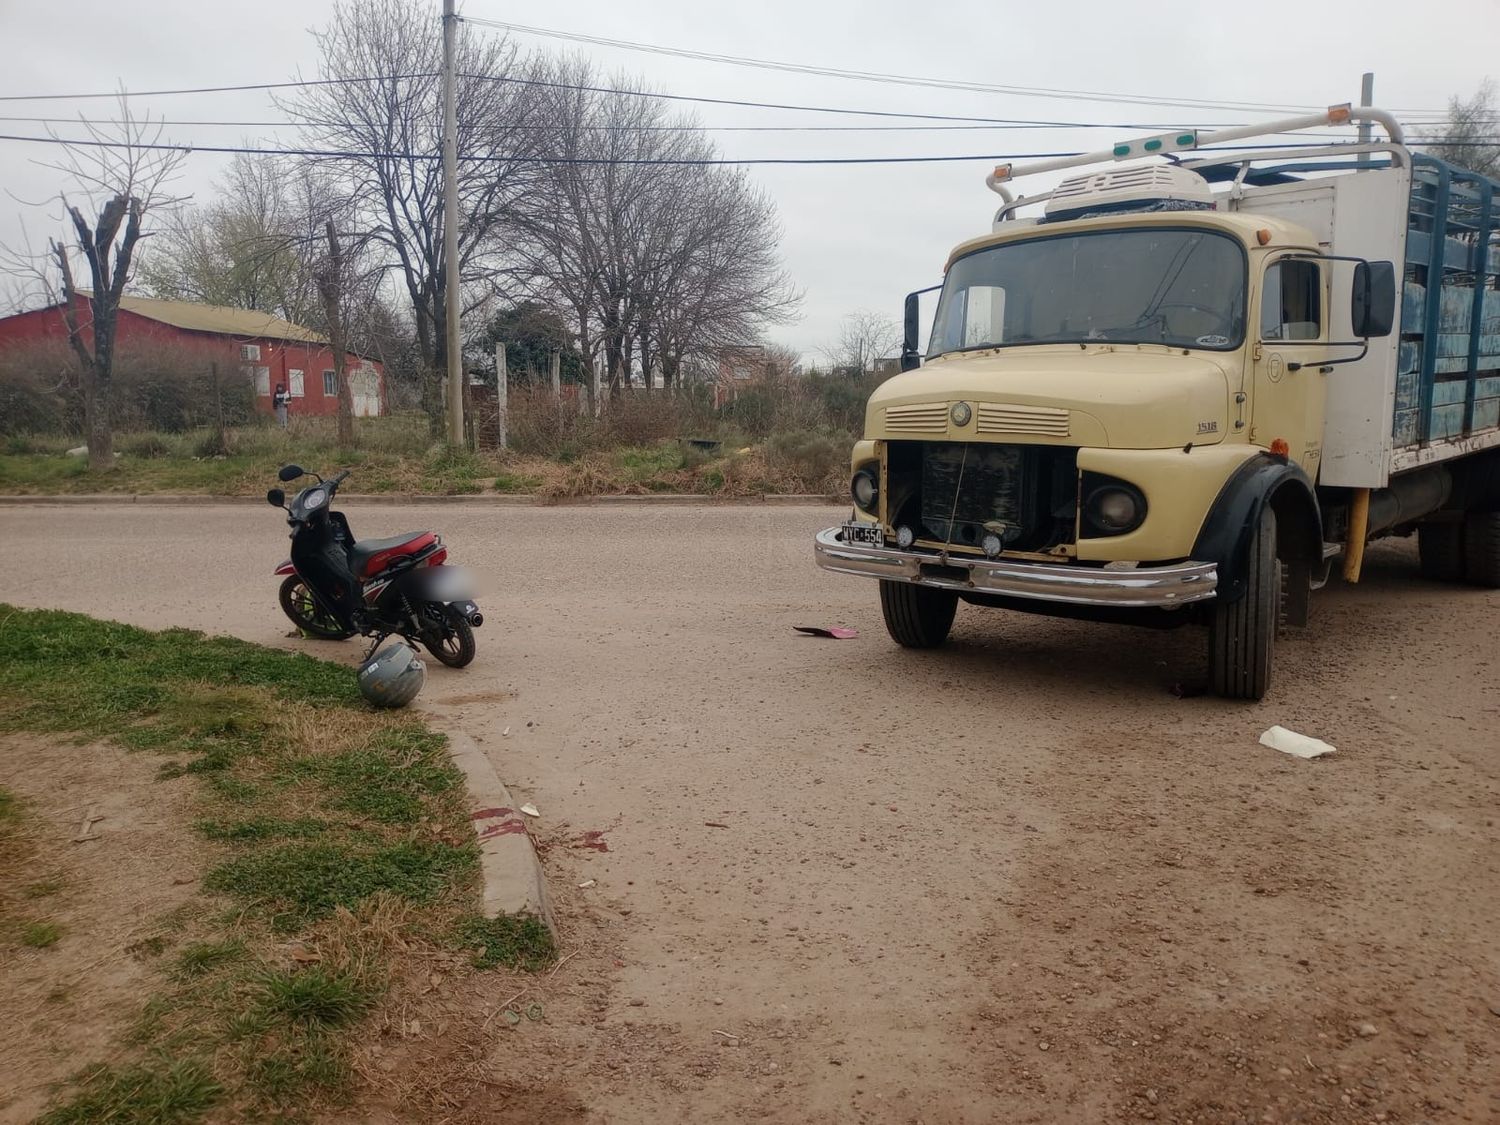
(1018, 880)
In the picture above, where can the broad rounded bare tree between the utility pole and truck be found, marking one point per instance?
(656, 253)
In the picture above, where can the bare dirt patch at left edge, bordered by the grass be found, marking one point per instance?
(106, 853)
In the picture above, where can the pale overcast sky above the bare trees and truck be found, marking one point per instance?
(856, 236)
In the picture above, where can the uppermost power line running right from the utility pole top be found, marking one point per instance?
(887, 79)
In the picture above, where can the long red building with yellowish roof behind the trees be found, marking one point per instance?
(265, 349)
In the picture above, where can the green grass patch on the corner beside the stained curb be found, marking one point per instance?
(310, 806)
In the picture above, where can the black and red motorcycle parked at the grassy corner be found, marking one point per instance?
(337, 587)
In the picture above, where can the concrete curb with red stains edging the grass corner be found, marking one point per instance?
(509, 868)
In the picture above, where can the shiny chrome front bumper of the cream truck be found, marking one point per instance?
(1159, 587)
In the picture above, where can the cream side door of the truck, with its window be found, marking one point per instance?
(1289, 403)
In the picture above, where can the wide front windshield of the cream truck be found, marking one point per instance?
(1147, 286)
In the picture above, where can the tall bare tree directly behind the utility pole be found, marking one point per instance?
(383, 112)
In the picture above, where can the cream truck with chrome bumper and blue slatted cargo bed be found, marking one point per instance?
(1187, 388)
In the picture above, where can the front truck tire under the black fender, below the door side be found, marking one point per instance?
(1243, 634)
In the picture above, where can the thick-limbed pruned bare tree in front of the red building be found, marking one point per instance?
(118, 182)
